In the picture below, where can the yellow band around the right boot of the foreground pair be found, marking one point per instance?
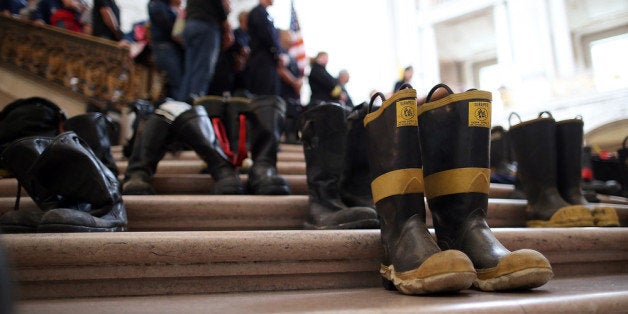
(454, 181)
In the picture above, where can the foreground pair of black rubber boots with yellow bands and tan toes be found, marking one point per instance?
(438, 149)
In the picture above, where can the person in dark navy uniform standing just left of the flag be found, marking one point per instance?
(266, 51)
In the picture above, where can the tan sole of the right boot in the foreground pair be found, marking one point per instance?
(520, 280)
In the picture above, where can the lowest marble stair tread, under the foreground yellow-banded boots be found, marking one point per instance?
(583, 294)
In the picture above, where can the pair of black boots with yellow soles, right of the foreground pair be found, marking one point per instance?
(549, 163)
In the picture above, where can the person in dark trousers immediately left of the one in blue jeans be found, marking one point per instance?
(167, 52)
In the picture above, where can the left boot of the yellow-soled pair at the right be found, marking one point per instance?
(534, 146)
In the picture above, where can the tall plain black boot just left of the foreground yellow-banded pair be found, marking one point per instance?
(324, 146)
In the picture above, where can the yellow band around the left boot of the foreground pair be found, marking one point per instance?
(397, 182)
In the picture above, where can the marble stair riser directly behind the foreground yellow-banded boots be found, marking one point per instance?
(164, 263)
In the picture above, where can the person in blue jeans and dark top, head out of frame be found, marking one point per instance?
(205, 25)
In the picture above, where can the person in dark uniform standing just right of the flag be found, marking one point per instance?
(325, 88)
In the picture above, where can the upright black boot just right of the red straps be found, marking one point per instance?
(266, 120)
